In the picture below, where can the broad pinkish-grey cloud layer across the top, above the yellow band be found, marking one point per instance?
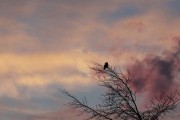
(64, 25)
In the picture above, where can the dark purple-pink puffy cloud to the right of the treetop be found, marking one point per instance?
(156, 73)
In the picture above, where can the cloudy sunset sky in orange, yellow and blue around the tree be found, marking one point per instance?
(50, 44)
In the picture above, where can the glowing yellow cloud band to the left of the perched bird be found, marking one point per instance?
(42, 70)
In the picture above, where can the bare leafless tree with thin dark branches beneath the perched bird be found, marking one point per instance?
(119, 101)
